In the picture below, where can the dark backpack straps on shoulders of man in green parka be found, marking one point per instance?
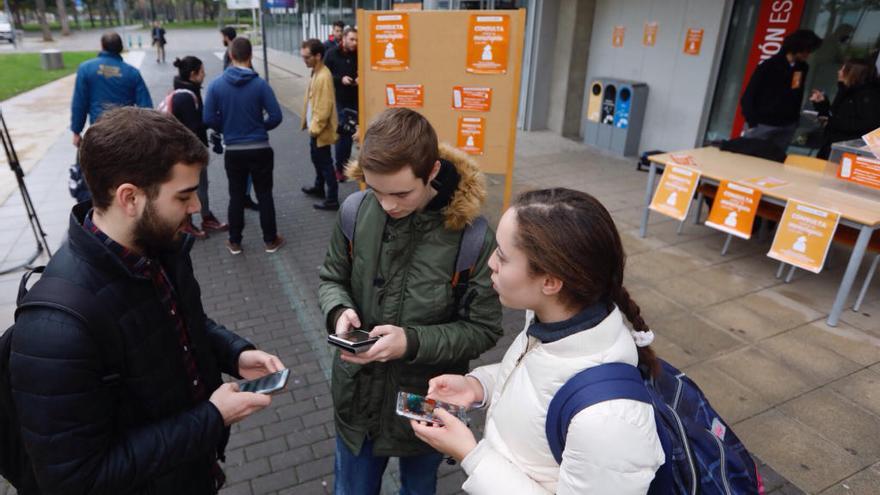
(469, 249)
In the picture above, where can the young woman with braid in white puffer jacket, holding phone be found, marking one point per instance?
(560, 257)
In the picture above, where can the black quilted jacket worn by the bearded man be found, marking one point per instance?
(143, 434)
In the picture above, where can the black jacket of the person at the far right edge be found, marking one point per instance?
(853, 113)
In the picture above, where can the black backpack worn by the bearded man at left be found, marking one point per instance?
(60, 294)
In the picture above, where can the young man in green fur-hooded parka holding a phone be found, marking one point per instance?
(395, 278)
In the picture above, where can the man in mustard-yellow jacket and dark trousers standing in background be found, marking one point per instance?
(319, 118)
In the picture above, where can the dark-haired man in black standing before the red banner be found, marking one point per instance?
(771, 102)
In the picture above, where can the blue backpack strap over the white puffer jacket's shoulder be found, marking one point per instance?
(591, 386)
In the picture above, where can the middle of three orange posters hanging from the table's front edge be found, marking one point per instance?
(734, 209)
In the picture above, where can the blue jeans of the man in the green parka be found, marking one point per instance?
(362, 474)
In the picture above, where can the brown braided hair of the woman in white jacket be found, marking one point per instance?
(570, 235)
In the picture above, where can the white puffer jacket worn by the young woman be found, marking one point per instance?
(611, 447)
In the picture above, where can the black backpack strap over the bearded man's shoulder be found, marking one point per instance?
(62, 295)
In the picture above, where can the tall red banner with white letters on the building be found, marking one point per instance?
(776, 20)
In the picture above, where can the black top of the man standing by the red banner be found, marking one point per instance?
(775, 92)
